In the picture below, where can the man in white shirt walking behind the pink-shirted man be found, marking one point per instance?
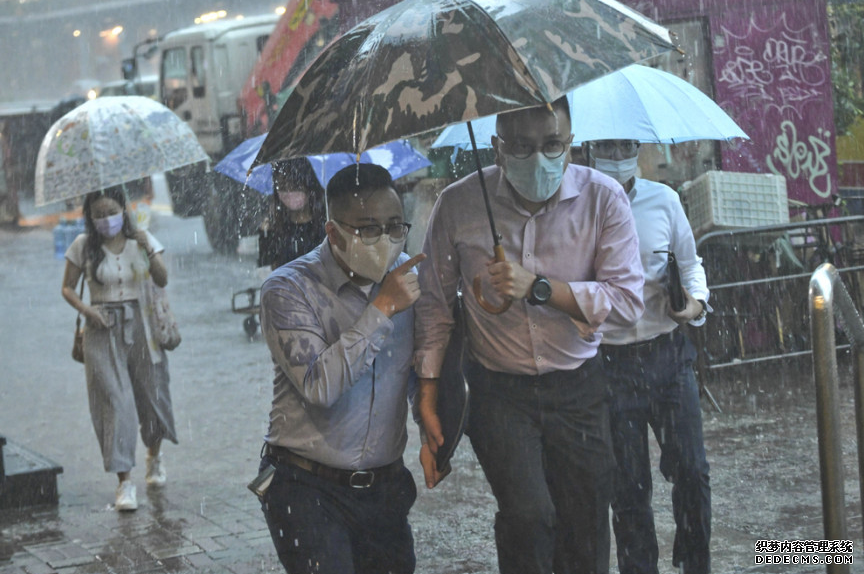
(649, 370)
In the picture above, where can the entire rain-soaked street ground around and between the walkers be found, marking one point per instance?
(762, 448)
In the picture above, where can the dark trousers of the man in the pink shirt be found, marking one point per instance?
(543, 442)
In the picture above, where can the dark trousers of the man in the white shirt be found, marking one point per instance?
(658, 390)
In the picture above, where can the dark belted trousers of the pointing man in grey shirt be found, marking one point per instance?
(321, 527)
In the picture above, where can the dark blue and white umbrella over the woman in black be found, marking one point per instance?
(398, 157)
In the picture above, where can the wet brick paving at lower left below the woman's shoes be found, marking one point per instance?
(173, 531)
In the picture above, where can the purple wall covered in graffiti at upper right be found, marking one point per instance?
(772, 74)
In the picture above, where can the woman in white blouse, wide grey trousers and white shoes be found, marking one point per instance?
(127, 377)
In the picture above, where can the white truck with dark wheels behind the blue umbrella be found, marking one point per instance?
(202, 69)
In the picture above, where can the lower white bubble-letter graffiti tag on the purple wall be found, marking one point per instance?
(797, 159)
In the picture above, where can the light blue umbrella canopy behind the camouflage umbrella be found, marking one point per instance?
(634, 103)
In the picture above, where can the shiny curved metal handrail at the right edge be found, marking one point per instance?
(827, 292)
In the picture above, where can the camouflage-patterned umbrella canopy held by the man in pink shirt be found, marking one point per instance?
(424, 64)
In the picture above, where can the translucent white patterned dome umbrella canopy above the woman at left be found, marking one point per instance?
(109, 141)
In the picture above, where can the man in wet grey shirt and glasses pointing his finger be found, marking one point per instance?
(339, 324)
